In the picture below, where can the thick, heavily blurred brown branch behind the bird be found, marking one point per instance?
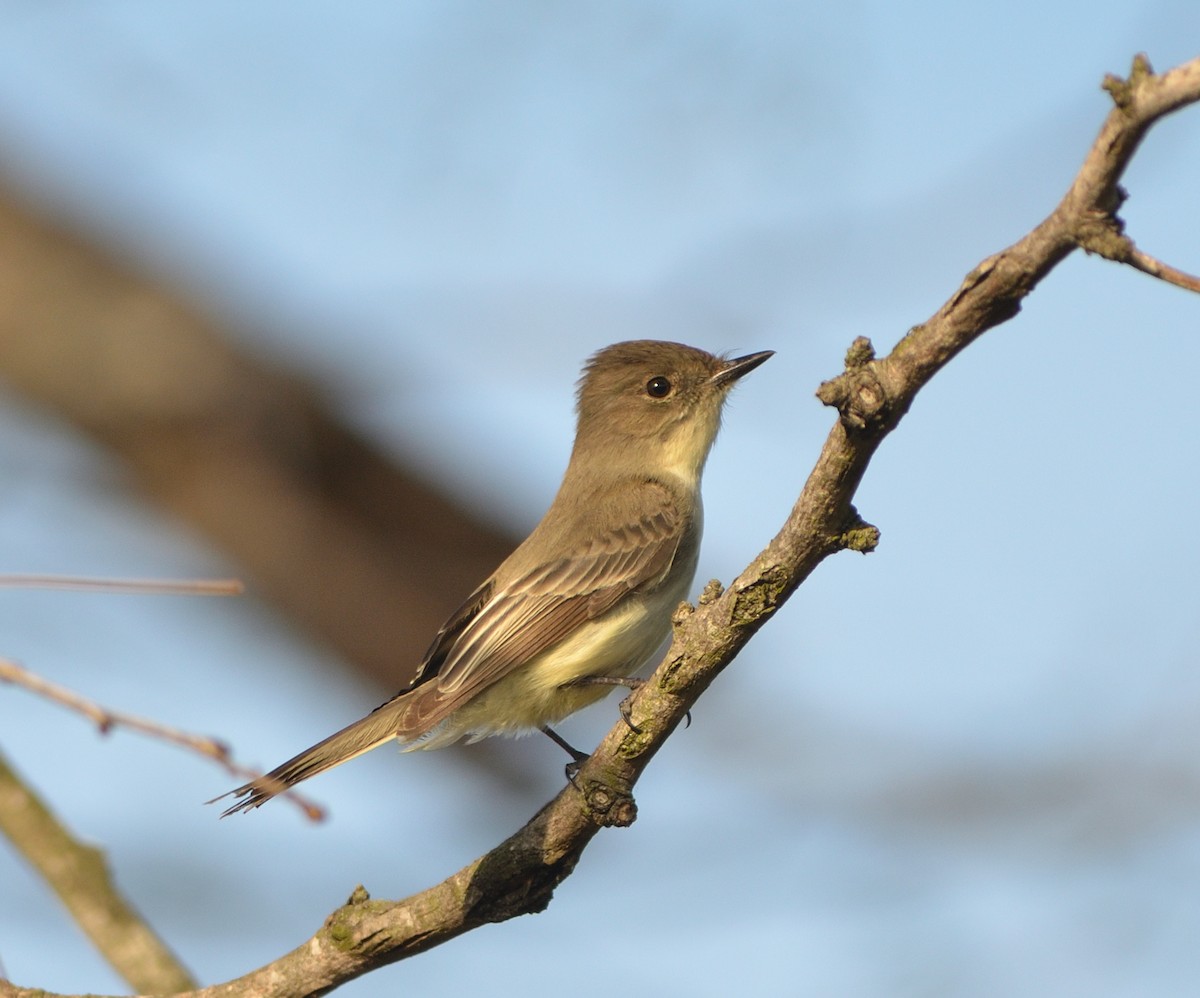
(361, 554)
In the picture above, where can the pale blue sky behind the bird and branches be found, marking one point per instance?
(962, 766)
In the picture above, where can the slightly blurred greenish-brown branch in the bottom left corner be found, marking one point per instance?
(80, 876)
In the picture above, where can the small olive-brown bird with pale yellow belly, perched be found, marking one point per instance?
(589, 597)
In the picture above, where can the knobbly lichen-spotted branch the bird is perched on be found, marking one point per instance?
(872, 398)
